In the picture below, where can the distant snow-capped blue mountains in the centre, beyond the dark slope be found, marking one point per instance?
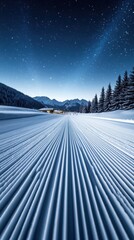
(67, 105)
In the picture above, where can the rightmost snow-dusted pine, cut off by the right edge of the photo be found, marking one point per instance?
(129, 98)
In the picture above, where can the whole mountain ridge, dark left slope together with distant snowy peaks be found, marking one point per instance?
(12, 97)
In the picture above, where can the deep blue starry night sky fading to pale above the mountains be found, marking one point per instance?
(65, 49)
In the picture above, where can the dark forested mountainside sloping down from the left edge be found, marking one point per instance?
(11, 97)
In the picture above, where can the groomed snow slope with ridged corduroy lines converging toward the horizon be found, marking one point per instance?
(66, 177)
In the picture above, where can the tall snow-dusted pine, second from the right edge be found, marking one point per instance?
(123, 93)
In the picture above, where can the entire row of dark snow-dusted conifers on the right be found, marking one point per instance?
(121, 97)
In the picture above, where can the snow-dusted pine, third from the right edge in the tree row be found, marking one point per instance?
(116, 94)
